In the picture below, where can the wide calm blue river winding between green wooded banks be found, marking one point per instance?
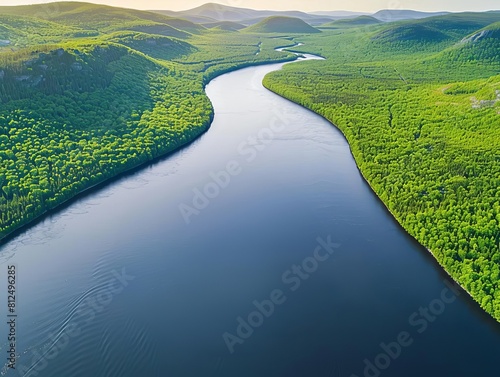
(256, 251)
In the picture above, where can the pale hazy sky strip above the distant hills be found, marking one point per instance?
(306, 5)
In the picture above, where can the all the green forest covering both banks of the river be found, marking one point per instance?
(88, 92)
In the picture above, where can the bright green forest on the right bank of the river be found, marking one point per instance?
(422, 116)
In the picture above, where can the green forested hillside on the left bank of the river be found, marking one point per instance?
(86, 94)
